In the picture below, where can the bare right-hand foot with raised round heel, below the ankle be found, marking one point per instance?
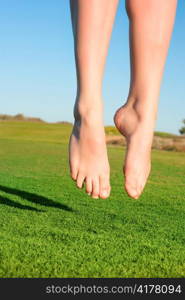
(138, 132)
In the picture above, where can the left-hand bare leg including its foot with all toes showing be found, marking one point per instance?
(92, 25)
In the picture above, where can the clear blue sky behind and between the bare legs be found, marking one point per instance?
(37, 64)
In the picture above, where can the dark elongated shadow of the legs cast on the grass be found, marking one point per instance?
(34, 198)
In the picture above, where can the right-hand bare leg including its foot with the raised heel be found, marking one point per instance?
(151, 24)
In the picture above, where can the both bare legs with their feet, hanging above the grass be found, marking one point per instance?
(151, 24)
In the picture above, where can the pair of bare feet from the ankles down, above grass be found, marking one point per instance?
(88, 154)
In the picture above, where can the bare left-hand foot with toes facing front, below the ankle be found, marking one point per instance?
(88, 155)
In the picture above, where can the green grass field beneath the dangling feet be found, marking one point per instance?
(49, 228)
